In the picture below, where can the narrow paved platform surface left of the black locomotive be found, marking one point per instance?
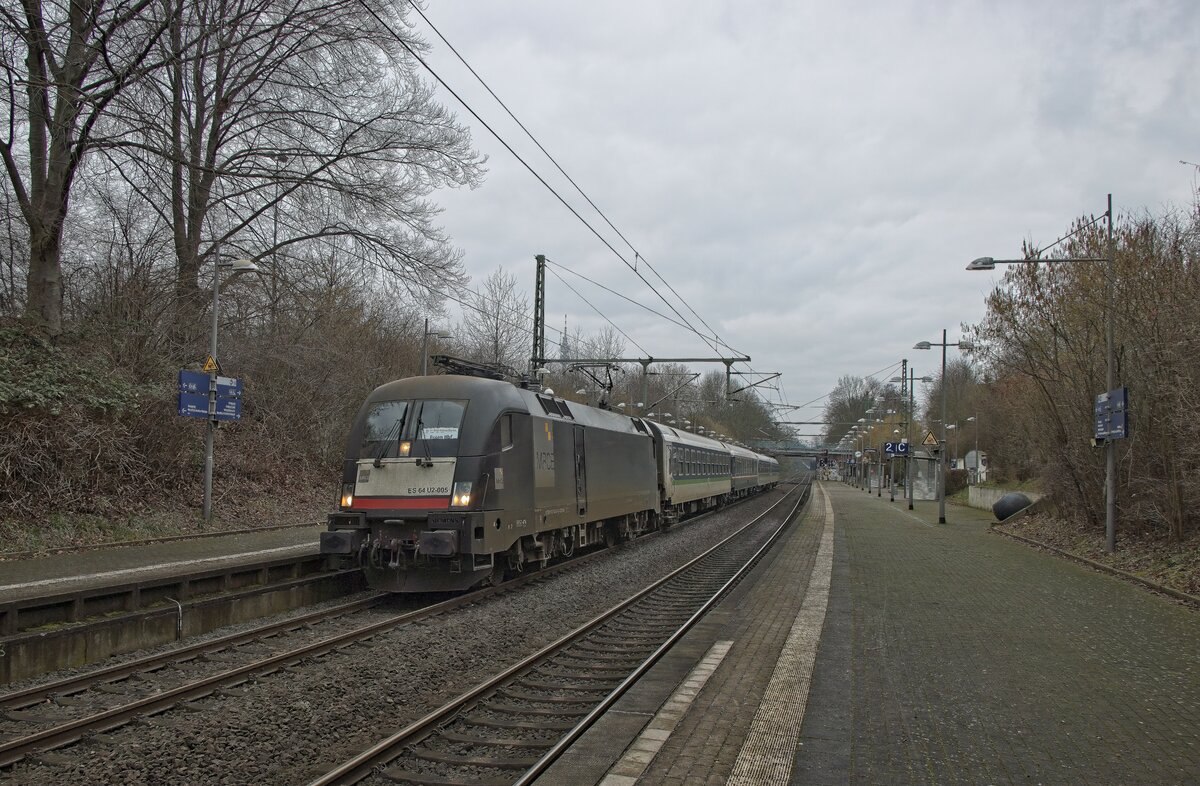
(39, 577)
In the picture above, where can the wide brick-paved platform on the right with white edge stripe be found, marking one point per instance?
(875, 646)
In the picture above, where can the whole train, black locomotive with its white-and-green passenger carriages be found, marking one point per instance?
(454, 482)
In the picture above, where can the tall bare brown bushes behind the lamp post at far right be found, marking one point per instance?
(1045, 333)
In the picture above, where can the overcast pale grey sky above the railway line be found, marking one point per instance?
(812, 178)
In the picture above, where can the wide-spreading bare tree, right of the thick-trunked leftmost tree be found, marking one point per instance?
(286, 123)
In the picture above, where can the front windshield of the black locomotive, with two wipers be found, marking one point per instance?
(423, 428)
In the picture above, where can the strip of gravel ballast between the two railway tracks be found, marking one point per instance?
(293, 725)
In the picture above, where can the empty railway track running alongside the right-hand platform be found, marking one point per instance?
(512, 728)
